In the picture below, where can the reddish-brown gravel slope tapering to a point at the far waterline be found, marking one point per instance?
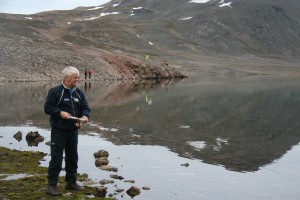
(28, 59)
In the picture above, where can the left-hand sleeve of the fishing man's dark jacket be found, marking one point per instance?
(50, 104)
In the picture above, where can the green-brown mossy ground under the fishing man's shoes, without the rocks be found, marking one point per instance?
(33, 186)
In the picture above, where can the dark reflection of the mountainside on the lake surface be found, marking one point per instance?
(239, 124)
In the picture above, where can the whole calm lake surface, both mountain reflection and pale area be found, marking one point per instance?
(240, 136)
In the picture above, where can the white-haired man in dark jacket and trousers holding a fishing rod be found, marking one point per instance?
(64, 102)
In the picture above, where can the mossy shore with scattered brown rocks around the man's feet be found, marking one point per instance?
(34, 176)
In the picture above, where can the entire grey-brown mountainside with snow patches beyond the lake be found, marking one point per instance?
(114, 39)
